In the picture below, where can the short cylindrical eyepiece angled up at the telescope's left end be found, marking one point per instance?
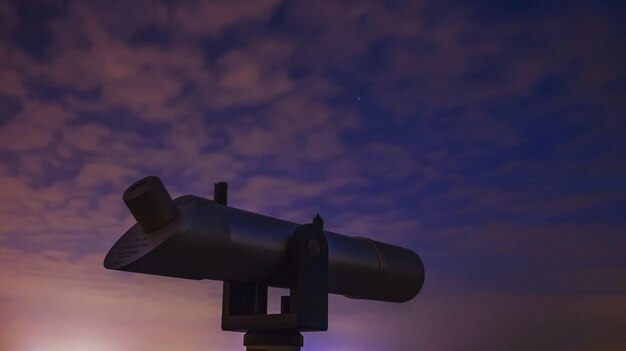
(150, 203)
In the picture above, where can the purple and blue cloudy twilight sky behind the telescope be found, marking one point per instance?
(487, 136)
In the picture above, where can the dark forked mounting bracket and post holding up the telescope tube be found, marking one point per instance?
(244, 305)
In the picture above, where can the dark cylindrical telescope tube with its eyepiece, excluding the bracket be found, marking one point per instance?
(196, 238)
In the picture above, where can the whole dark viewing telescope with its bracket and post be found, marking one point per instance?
(196, 238)
